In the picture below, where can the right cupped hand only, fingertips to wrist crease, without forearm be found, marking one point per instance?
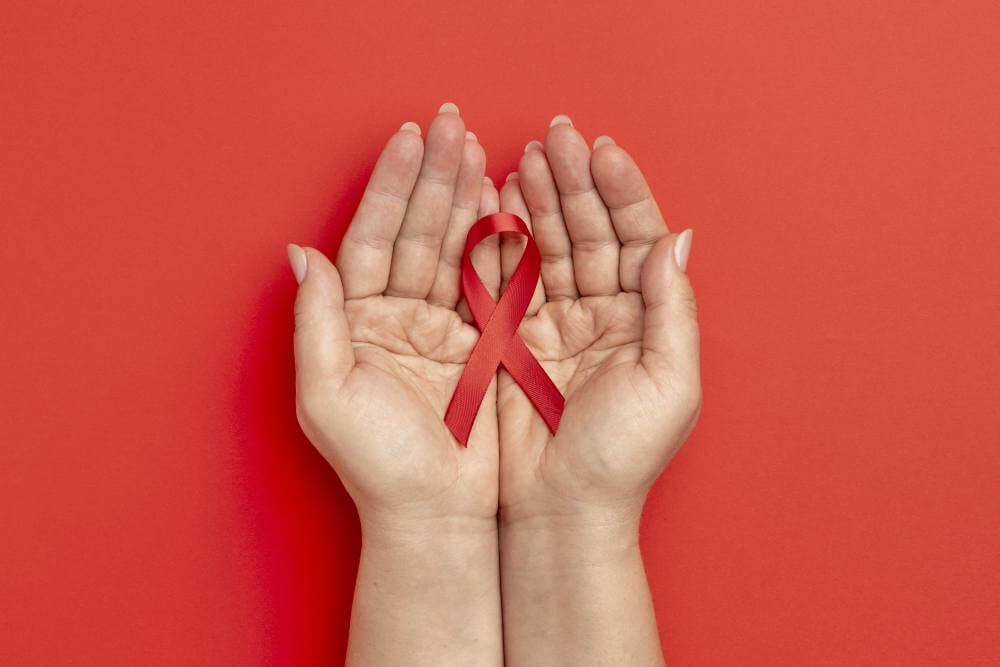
(613, 323)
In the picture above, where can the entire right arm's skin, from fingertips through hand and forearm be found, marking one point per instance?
(614, 326)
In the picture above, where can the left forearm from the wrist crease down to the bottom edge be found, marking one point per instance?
(427, 593)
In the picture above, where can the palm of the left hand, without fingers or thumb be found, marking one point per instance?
(408, 358)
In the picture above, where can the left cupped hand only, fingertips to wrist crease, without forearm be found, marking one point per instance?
(381, 337)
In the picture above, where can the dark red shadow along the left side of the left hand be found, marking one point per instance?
(296, 506)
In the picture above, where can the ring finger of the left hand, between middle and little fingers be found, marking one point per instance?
(465, 205)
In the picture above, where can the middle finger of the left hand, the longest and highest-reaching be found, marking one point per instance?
(416, 249)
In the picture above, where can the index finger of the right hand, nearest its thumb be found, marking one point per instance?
(634, 213)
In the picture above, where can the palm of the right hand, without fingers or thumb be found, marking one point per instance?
(591, 348)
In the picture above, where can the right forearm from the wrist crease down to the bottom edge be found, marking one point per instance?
(575, 593)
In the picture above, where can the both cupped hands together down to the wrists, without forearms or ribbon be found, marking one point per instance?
(382, 337)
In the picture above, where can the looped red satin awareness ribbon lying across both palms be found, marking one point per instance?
(499, 342)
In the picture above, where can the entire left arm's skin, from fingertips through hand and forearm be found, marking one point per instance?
(379, 347)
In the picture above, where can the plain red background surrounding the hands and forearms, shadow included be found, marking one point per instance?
(839, 162)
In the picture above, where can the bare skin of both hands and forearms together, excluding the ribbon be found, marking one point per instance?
(381, 339)
